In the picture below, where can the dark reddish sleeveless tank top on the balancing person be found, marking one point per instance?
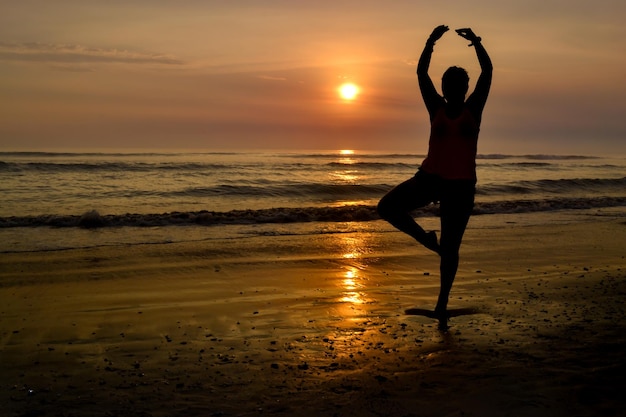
(452, 146)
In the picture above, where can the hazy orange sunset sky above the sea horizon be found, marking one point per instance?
(264, 75)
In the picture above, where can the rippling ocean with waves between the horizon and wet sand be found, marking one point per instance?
(55, 201)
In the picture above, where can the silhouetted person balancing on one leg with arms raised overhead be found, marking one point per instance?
(448, 174)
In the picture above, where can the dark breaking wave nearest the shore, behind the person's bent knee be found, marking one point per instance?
(352, 213)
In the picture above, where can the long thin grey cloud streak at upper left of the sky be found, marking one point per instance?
(78, 54)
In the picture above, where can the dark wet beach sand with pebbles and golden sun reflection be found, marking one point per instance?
(316, 325)
